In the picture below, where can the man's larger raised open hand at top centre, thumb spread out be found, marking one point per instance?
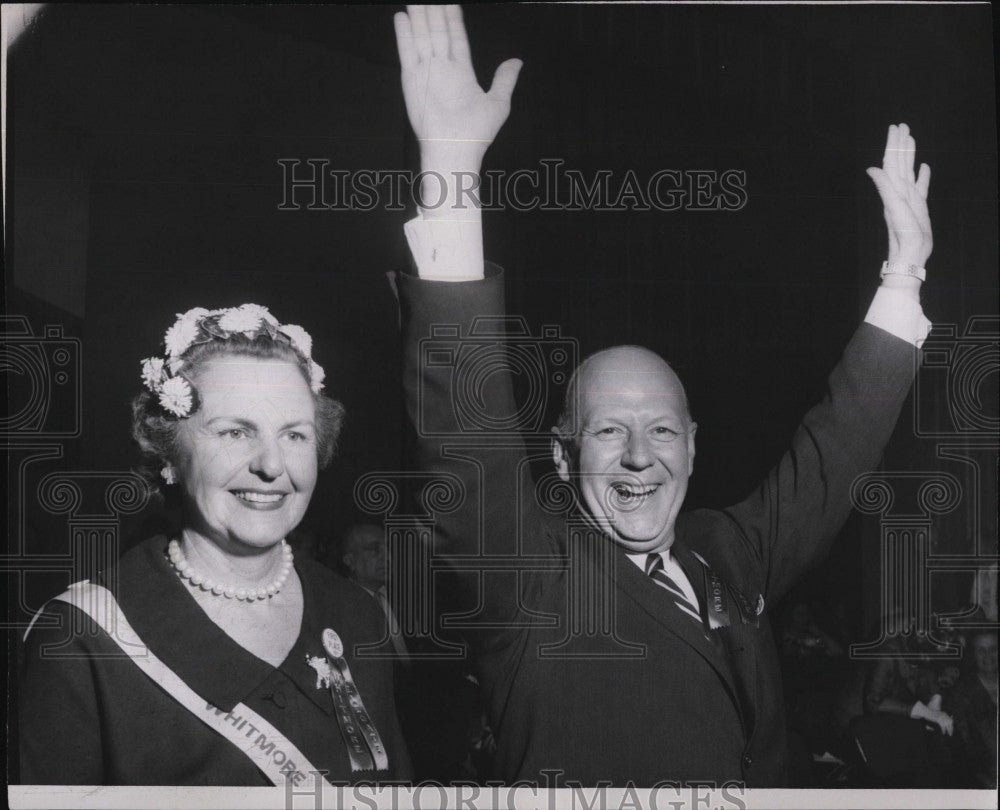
(454, 120)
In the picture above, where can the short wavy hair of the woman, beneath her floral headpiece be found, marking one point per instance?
(156, 431)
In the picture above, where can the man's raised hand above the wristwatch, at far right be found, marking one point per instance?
(904, 199)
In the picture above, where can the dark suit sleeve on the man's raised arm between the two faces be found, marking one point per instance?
(497, 514)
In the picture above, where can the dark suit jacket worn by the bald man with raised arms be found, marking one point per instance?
(589, 671)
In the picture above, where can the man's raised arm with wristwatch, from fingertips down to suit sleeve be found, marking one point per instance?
(789, 520)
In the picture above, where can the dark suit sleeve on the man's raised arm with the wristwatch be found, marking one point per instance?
(788, 522)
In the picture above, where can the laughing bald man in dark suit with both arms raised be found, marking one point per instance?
(618, 639)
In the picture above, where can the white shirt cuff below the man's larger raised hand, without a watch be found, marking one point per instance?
(446, 249)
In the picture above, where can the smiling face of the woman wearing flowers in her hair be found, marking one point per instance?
(247, 458)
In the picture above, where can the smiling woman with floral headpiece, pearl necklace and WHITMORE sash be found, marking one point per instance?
(213, 657)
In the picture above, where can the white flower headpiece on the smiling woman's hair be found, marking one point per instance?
(198, 325)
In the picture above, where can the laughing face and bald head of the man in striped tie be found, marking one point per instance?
(634, 449)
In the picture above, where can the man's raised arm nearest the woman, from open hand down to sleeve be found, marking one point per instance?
(455, 121)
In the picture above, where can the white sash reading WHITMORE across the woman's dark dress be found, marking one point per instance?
(267, 747)
